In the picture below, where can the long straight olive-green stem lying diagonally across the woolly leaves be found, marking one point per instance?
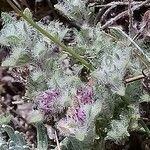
(55, 40)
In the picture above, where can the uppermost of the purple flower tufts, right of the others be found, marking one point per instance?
(85, 95)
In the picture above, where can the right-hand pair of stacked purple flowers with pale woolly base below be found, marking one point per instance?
(77, 118)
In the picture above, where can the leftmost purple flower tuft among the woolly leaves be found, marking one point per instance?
(47, 100)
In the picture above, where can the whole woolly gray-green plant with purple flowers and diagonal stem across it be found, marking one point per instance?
(99, 108)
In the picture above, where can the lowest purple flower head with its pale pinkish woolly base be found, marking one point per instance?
(75, 122)
